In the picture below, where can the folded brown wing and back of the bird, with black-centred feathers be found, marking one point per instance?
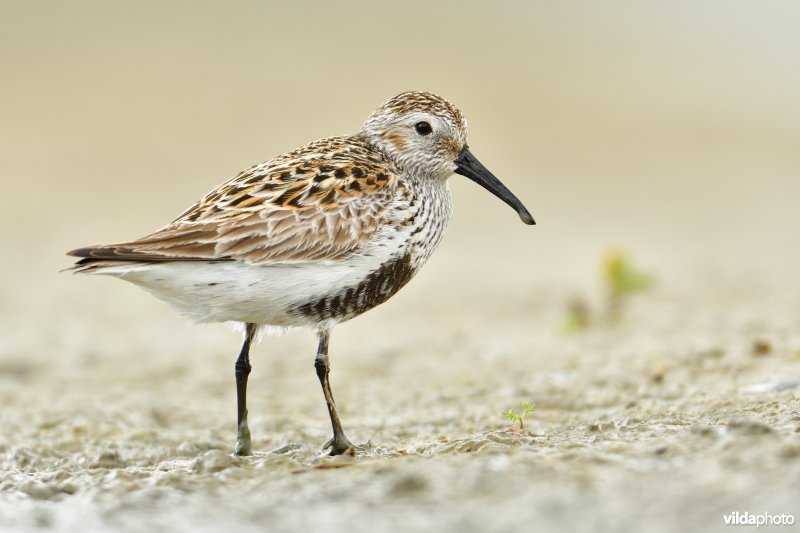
(320, 202)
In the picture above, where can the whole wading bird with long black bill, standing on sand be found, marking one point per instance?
(310, 238)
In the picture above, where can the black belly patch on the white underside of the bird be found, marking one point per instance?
(376, 288)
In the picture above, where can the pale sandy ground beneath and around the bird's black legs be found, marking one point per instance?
(121, 417)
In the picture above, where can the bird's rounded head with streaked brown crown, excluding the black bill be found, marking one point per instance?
(420, 132)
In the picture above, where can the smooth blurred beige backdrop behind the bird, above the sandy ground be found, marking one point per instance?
(669, 128)
